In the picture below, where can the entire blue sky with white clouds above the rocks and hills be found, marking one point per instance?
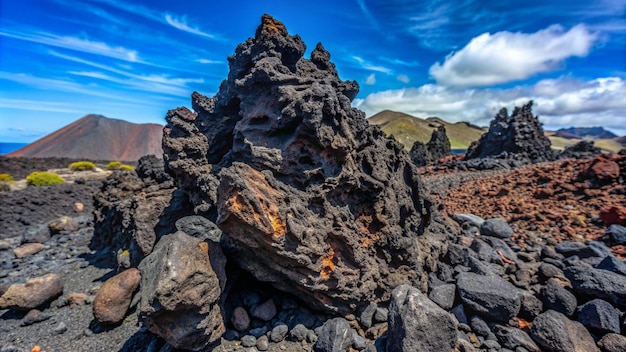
(460, 60)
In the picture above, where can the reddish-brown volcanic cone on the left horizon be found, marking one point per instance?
(96, 137)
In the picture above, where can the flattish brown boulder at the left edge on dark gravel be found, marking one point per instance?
(32, 294)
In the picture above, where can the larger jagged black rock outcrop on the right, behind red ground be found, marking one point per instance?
(519, 136)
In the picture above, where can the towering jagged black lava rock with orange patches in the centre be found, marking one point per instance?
(309, 196)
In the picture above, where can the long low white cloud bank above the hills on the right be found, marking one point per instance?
(558, 102)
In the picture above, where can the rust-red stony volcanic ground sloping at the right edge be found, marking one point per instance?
(567, 200)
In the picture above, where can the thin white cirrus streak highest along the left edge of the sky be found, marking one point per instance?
(74, 43)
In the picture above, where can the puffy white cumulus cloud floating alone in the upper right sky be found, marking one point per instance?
(505, 56)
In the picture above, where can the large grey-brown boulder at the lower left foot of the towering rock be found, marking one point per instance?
(180, 291)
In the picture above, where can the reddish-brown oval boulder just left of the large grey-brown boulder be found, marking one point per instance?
(113, 299)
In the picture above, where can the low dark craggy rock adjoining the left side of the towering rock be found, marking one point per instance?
(133, 209)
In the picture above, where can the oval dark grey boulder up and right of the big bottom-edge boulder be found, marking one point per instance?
(489, 296)
